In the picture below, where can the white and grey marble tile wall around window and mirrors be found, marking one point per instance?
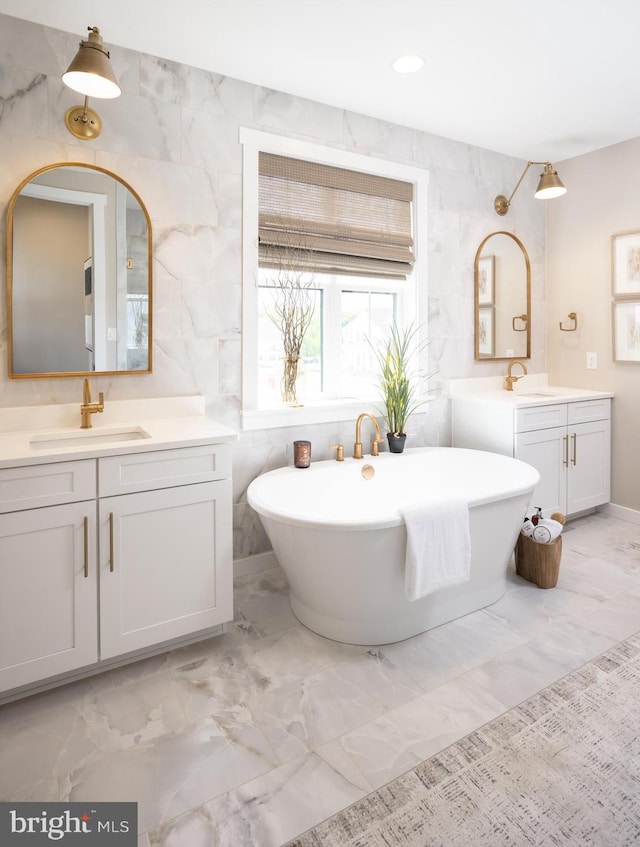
(173, 135)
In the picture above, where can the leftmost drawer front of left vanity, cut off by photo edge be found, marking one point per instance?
(47, 485)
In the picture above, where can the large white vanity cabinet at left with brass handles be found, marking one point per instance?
(112, 557)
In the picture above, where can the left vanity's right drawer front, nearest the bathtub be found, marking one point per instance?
(162, 469)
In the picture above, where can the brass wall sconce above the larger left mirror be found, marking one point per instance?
(90, 74)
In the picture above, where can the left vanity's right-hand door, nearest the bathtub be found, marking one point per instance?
(164, 565)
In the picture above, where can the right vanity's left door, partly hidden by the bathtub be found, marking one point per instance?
(545, 449)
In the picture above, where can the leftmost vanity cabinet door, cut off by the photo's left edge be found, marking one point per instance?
(48, 579)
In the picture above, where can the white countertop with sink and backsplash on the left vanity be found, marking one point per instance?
(36, 434)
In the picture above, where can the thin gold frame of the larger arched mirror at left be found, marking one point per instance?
(9, 268)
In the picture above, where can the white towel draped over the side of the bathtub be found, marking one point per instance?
(438, 545)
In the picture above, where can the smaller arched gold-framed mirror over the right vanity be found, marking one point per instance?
(502, 275)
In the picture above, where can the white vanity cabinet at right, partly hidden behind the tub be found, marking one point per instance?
(569, 443)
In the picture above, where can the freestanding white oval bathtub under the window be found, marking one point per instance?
(341, 540)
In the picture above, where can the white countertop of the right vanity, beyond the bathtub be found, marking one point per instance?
(530, 390)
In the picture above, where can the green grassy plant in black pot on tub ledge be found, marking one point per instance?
(398, 382)
